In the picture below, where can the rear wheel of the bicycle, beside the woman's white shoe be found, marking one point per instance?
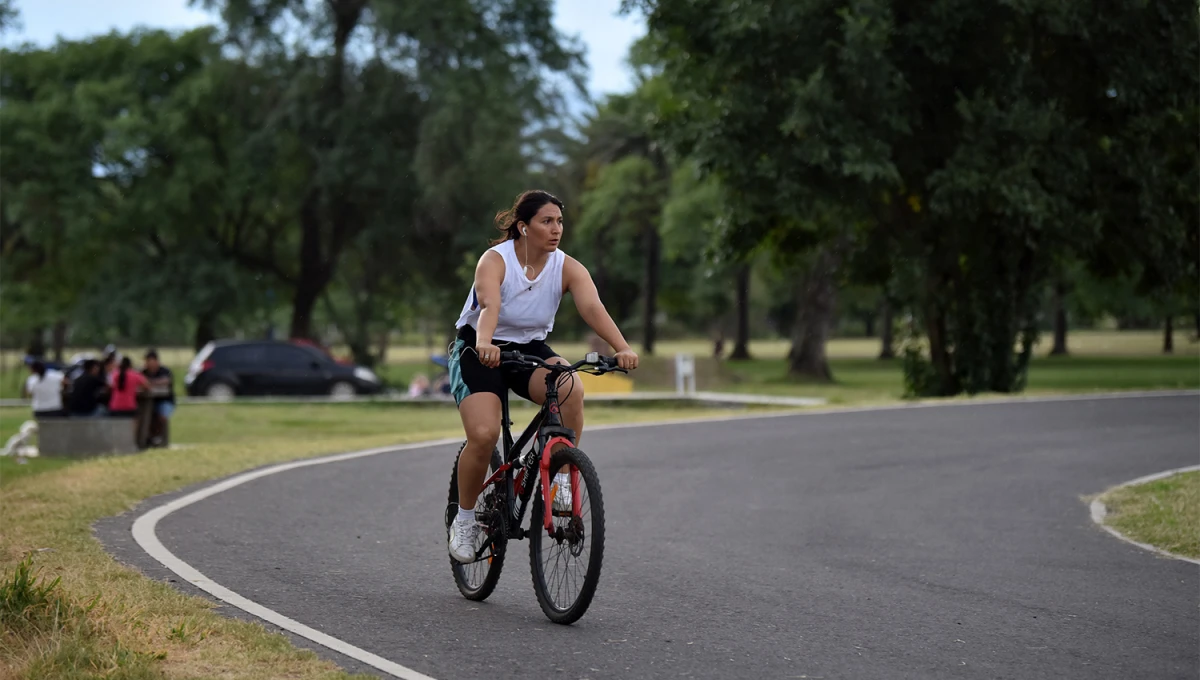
(478, 580)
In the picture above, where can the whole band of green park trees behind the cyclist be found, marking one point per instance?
(953, 178)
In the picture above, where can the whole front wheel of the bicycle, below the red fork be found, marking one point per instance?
(567, 567)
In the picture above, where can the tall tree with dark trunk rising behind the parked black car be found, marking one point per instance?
(373, 82)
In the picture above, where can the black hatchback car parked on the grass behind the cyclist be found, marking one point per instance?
(225, 369)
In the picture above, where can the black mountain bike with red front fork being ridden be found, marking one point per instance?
(560, 538)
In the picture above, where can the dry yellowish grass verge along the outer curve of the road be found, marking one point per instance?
(85, 616)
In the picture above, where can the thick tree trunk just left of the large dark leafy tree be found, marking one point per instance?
(817, 298)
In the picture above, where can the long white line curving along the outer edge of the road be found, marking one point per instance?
(145, 526)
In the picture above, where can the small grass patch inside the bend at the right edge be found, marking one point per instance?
(1165, 514)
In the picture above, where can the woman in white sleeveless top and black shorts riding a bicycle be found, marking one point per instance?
(519, 285)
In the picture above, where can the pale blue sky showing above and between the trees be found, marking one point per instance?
(605, 34)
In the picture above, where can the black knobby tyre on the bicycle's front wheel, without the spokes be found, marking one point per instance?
(596, 538)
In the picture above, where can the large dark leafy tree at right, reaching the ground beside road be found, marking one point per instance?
(968, 133)
